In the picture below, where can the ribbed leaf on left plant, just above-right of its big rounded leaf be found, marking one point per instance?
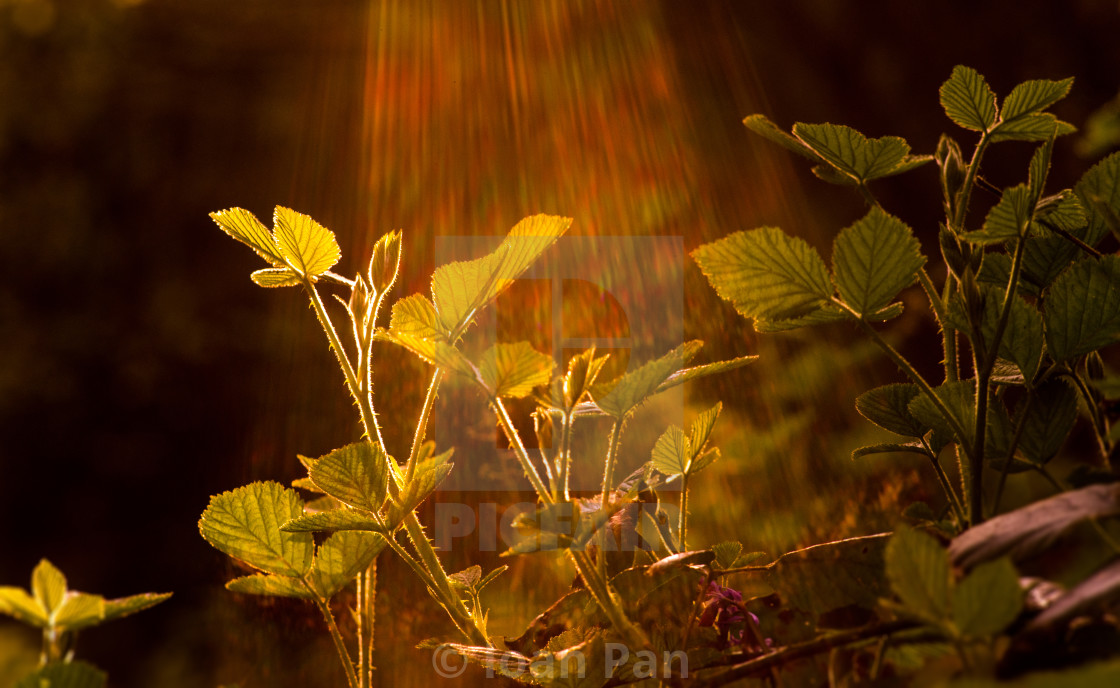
(357, 475)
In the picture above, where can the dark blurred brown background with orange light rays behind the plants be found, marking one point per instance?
(142, 371)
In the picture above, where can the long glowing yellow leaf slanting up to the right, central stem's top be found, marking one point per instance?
(463, 289)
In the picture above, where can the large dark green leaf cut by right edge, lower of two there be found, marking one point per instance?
(1084, 309)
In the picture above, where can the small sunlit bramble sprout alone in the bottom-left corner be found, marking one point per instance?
(61, 613)
